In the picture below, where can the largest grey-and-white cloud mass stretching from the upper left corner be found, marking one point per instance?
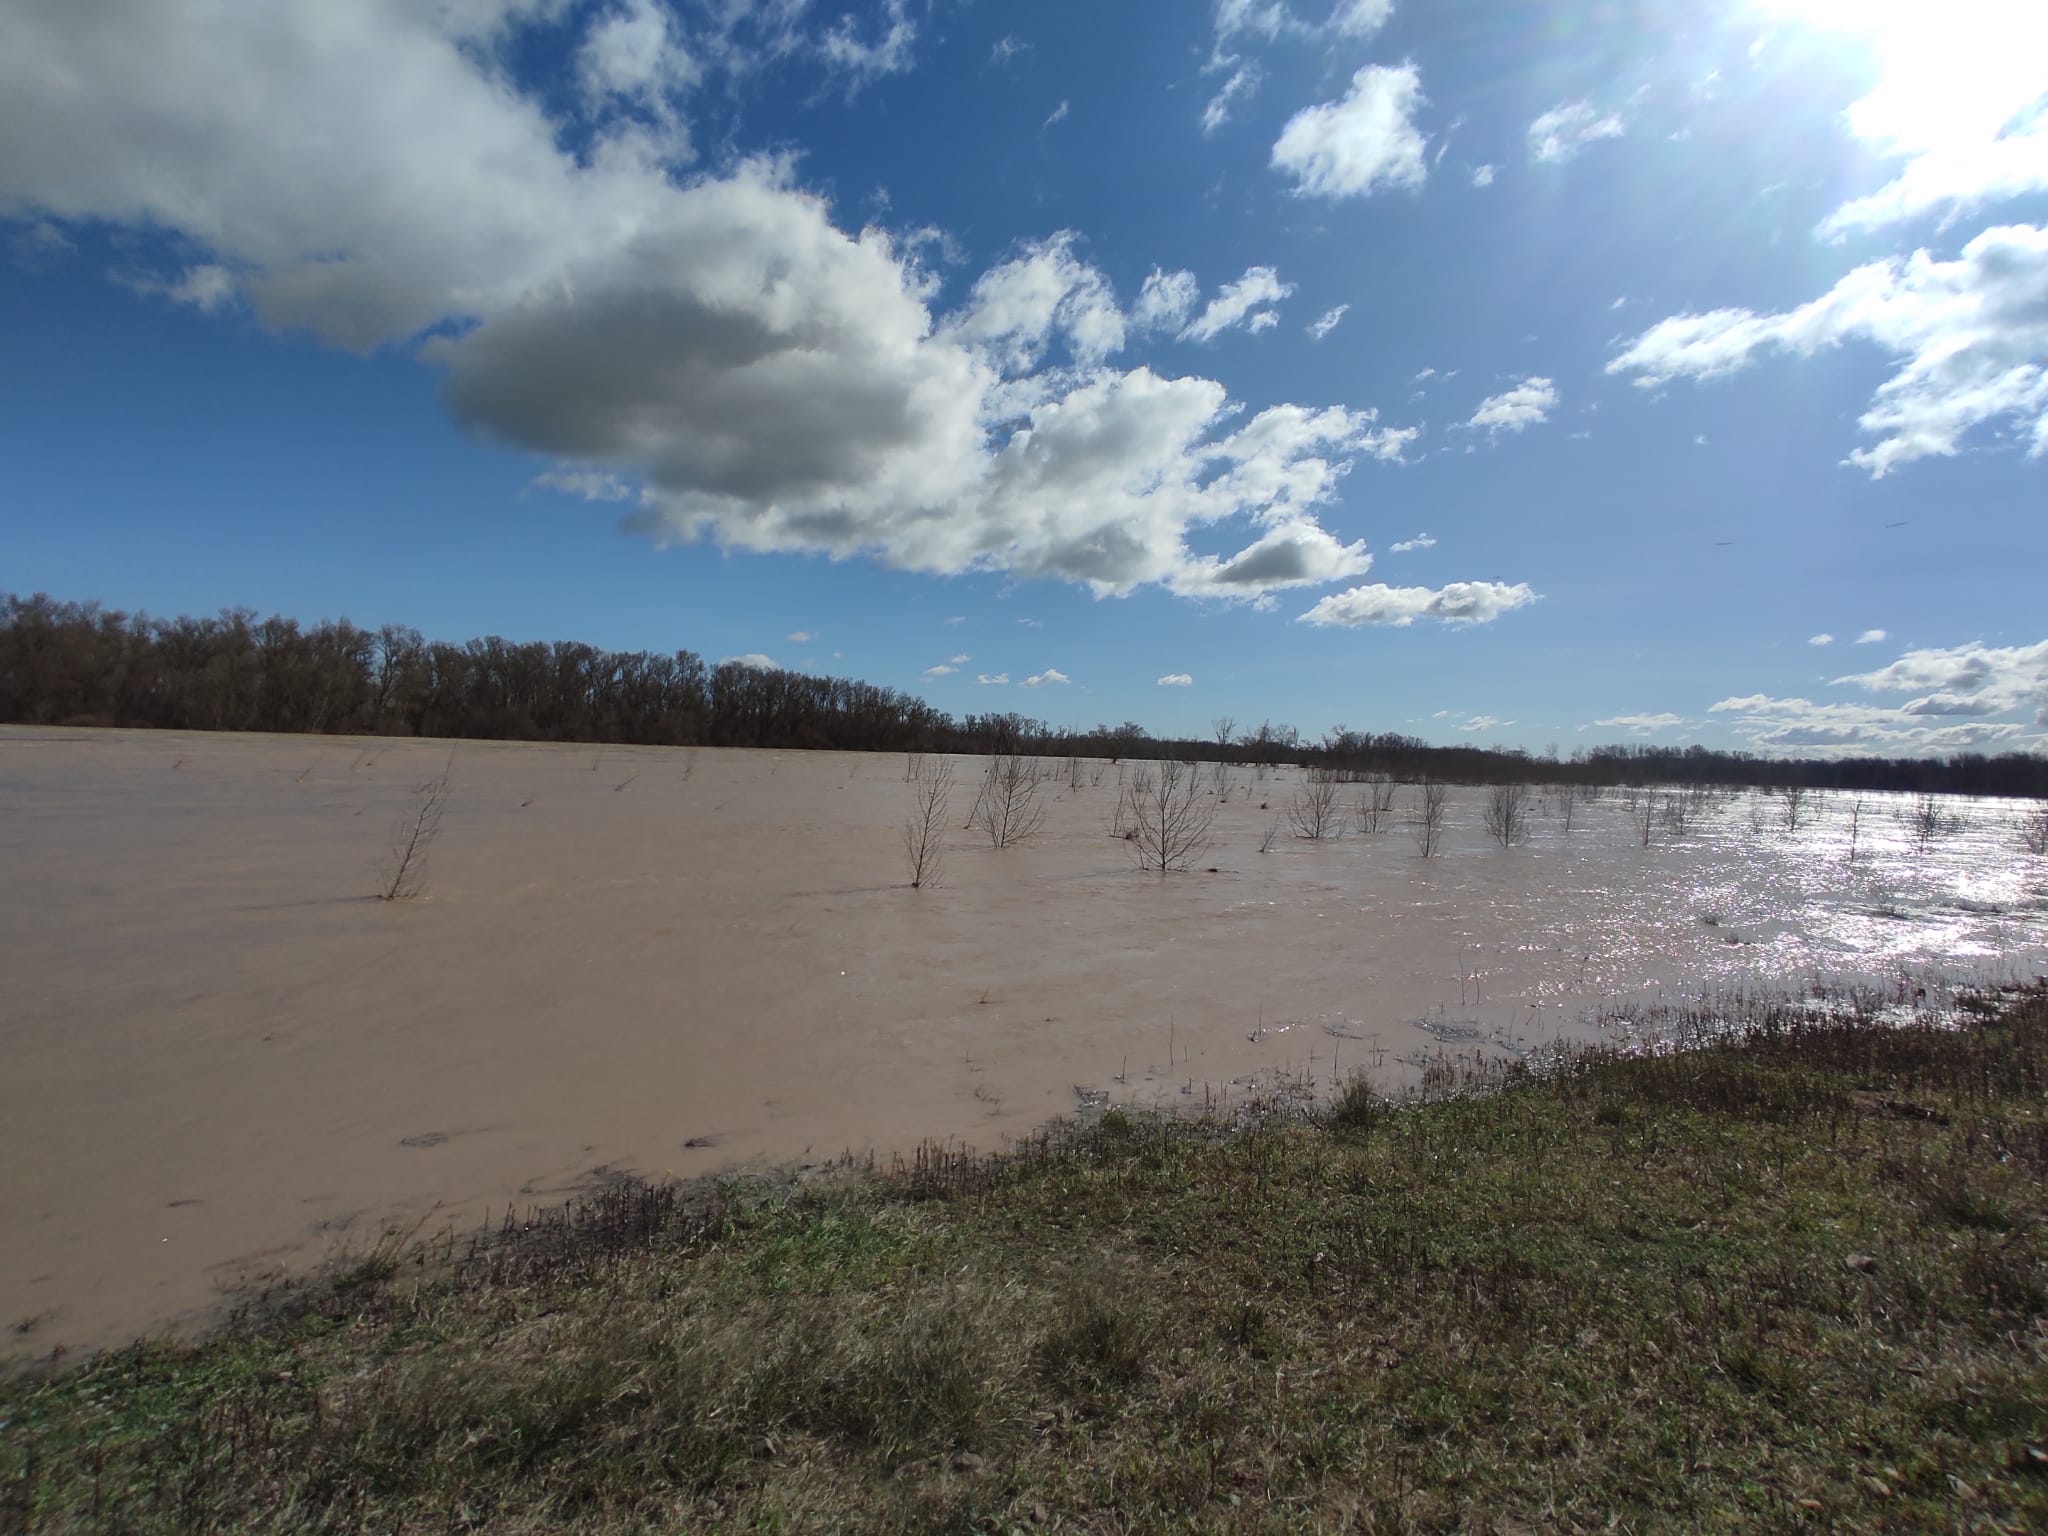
(777, 382)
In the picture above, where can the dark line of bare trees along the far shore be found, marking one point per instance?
(83, 665)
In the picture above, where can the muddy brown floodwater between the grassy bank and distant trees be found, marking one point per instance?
(222, 1058)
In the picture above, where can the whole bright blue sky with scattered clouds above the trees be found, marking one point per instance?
(1525, 374)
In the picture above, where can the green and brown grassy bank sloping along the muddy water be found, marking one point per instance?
(1789, 1281)
